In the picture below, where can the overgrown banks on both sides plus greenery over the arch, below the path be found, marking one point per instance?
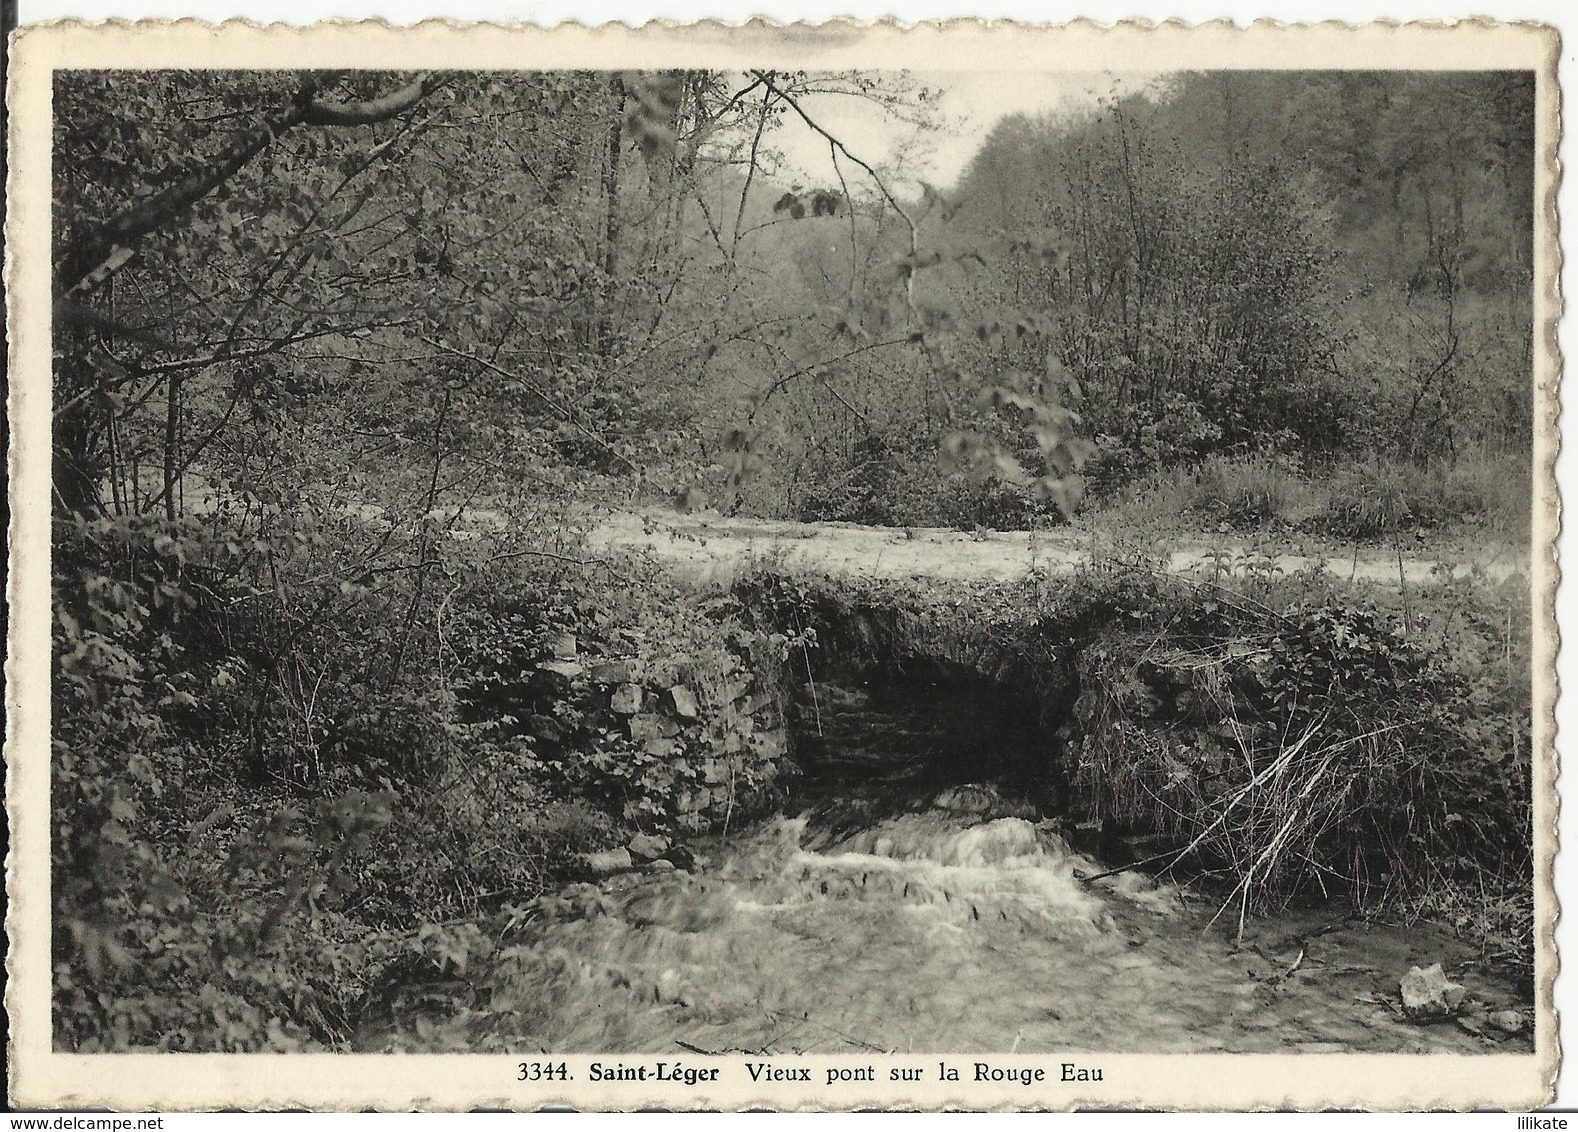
(1281, 738)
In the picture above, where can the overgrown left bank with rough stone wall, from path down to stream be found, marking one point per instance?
(274, 800)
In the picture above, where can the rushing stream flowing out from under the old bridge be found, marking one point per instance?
(897, 909)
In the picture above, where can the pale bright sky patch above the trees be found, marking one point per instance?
(971, 105)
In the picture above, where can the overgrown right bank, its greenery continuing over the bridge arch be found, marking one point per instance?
(1271, 737)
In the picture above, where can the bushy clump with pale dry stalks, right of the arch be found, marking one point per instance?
(1307, 751)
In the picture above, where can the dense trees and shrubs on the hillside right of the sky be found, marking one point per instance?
(1274, 264)
